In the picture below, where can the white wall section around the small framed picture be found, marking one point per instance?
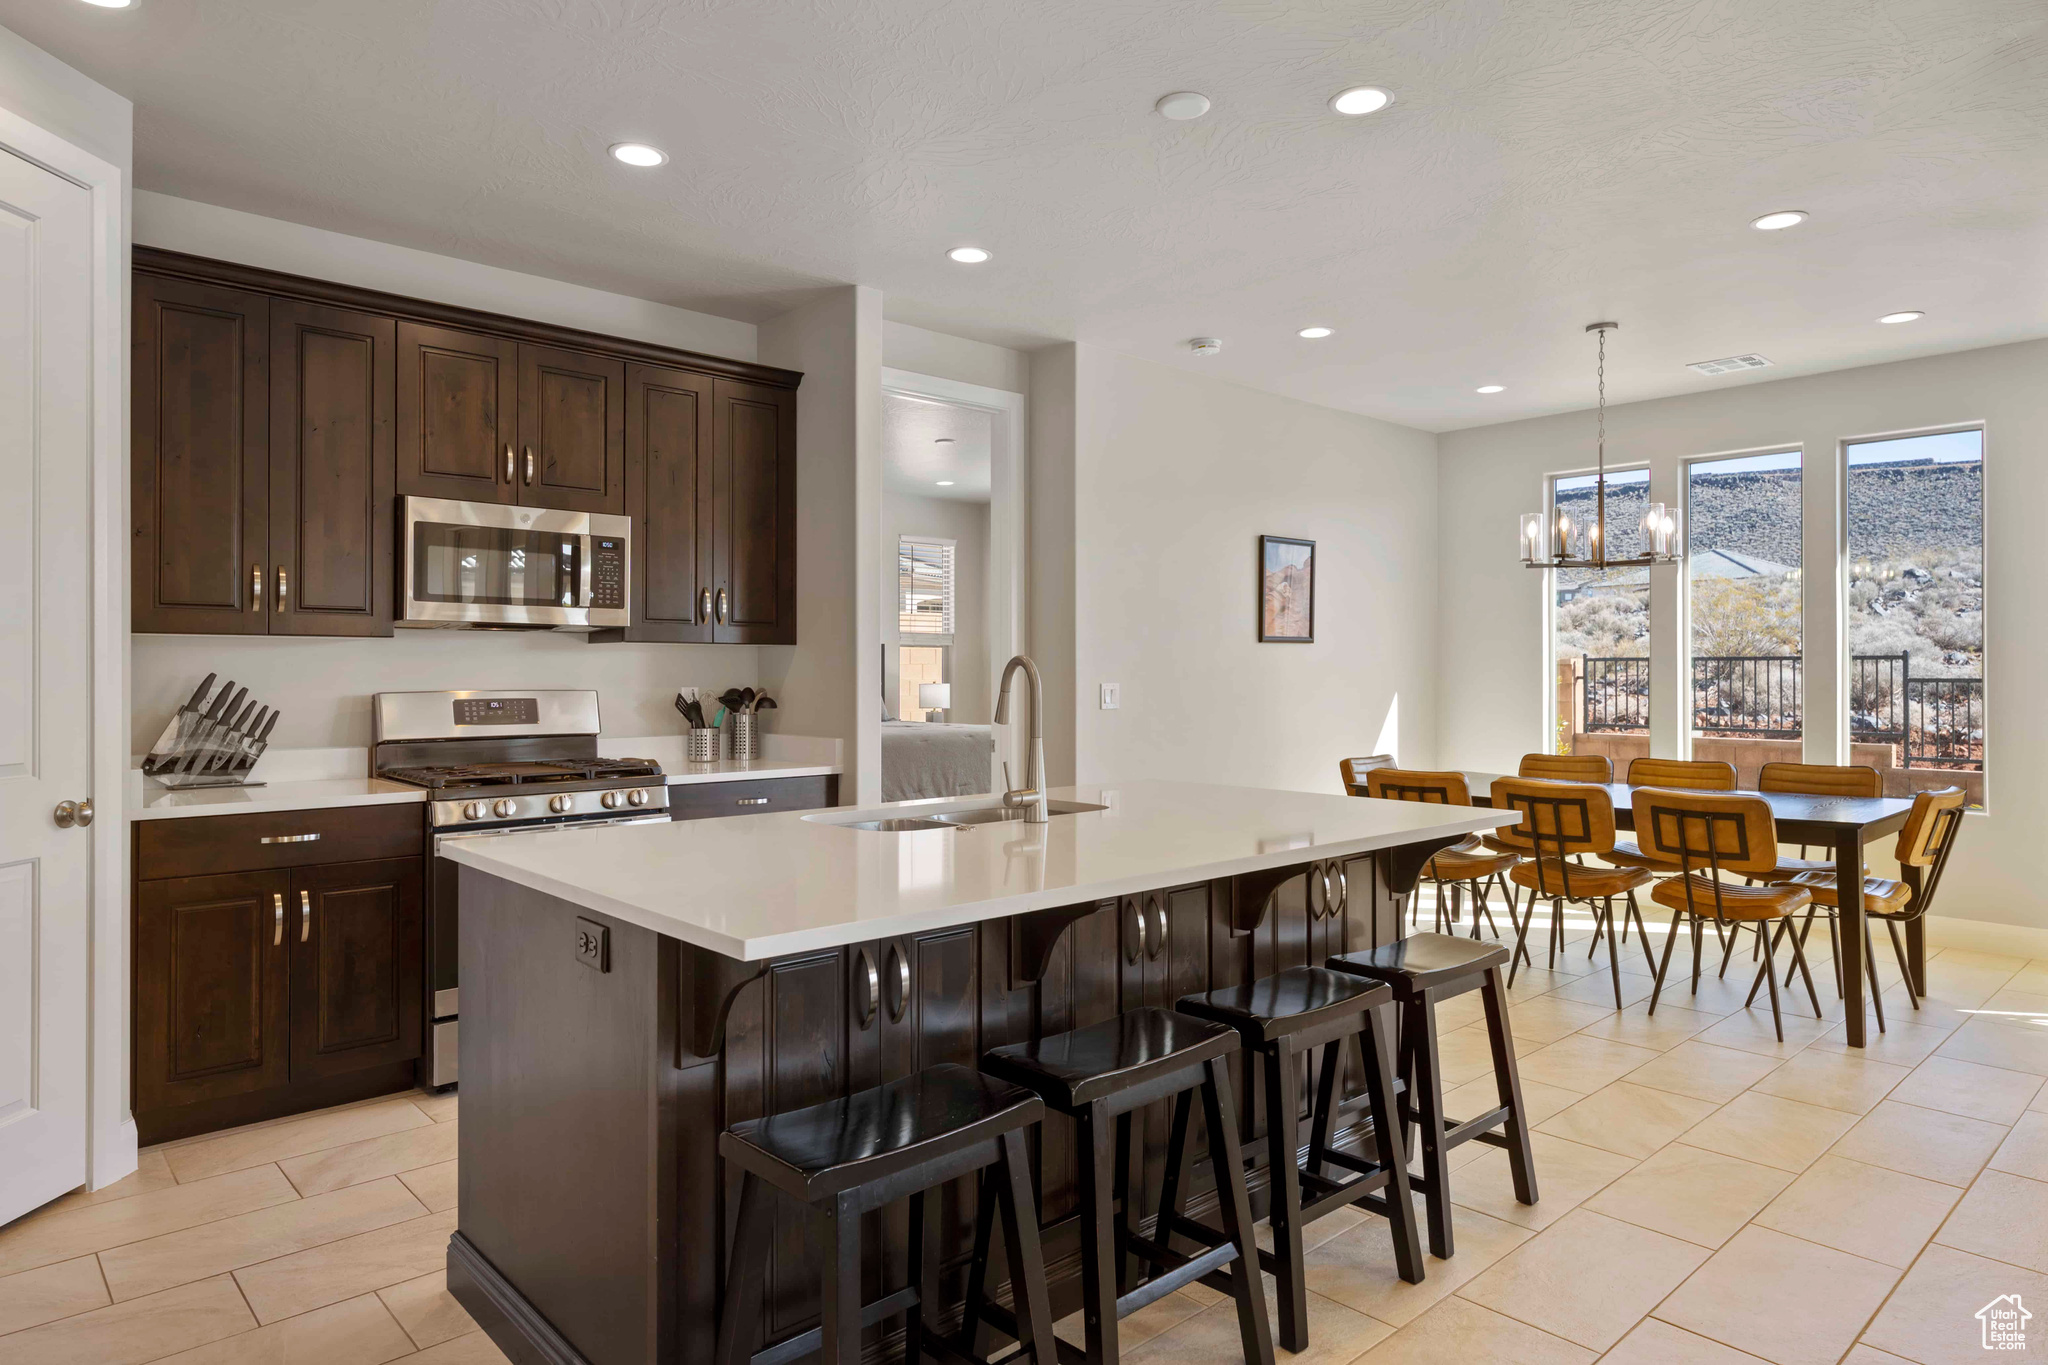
(1175, 480)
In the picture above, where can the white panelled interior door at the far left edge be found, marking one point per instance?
(46, 680)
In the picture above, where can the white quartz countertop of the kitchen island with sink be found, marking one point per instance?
(765, 885)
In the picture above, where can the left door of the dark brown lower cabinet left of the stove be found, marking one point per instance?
(210, 987)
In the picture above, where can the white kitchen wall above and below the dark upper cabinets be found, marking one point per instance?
(325, 687)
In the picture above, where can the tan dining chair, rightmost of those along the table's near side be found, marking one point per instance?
(1711, 838)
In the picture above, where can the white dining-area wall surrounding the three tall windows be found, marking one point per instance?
(1492, 656)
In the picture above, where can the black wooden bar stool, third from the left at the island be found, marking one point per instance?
(1281, 1018)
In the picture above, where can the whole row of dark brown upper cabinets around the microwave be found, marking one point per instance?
(280, 419)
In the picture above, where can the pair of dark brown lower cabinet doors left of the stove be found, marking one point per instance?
(265, 994)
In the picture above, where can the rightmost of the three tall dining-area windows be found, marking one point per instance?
(1916, 609)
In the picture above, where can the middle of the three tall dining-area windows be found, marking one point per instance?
(1744, 601)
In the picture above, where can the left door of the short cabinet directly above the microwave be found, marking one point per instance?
(458, 414)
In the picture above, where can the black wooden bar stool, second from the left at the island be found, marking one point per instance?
(1097, 1075)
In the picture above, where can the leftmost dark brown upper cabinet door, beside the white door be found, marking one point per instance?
(200, 455)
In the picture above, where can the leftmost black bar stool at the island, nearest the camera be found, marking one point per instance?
(865, 1151)
